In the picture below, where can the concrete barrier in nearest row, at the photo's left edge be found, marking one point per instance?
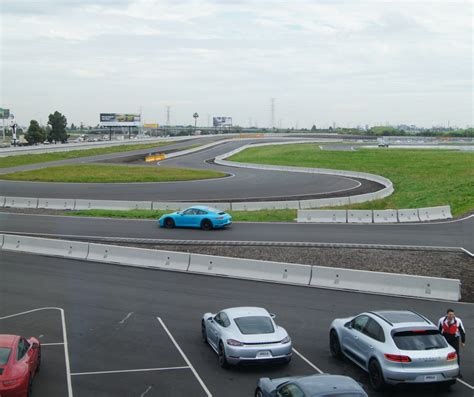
(43, 246)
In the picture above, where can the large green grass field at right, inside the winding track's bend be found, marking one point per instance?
(422, 178)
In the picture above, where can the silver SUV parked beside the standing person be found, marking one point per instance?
(395, 347)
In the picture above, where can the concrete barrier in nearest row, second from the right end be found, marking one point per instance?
(250, 269)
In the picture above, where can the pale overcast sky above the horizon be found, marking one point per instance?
(349, 62)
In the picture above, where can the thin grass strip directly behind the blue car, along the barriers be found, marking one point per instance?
(237, 216)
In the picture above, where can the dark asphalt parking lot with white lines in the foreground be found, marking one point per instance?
(117, 346)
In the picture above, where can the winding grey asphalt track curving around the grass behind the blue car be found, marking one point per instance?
(244, 184)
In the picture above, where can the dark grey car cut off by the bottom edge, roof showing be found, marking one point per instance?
(309, 386)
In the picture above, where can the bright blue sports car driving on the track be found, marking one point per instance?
(206, 218)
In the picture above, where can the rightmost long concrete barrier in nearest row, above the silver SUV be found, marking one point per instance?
(386, 283)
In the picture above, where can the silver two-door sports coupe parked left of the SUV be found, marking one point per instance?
(244, 335)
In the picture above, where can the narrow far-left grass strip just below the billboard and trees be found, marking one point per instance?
(24, 159)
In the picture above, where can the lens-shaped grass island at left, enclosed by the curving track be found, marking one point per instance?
(105, 173)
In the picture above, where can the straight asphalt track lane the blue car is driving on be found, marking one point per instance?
(443, 234)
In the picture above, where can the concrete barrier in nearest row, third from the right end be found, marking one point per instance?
(138, 257)
